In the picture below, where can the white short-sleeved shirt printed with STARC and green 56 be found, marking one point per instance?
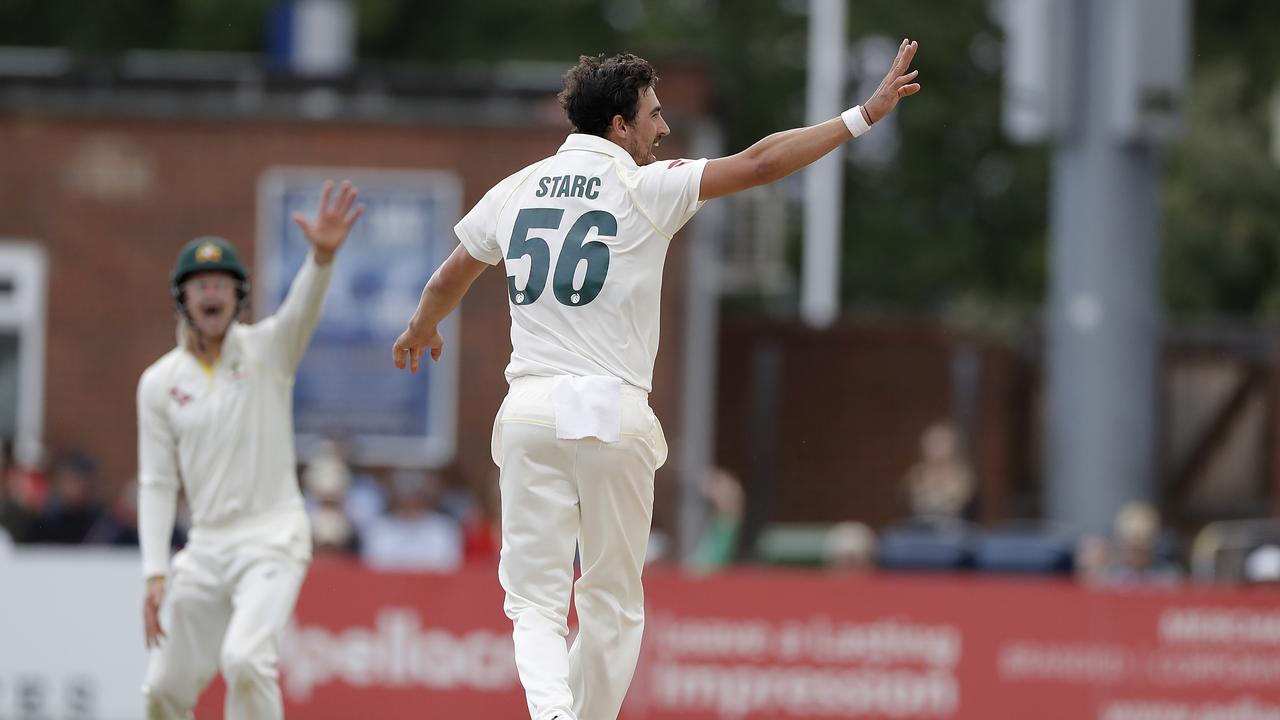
(584, 235)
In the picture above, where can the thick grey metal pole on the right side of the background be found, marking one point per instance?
(1104, 320)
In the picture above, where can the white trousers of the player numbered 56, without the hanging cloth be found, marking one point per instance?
(559, 495)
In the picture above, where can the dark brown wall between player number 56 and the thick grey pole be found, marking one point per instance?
(852, 405)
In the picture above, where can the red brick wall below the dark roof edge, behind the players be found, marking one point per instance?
(74, 186)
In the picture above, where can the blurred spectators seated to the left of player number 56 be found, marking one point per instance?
(387, 518)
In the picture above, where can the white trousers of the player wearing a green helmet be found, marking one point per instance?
(228, 601)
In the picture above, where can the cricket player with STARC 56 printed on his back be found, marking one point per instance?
(584, 236)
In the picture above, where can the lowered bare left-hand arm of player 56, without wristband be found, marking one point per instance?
(442, 294)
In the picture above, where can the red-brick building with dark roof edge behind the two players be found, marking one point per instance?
(111, 174)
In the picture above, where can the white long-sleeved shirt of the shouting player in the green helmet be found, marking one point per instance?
(227, 438)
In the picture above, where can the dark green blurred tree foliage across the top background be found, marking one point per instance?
(957, 217)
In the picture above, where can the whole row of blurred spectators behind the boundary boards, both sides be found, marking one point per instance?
(420, 521)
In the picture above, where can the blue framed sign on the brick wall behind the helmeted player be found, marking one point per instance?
(348, 386)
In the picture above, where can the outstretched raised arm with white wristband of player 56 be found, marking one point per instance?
(784, 153)
